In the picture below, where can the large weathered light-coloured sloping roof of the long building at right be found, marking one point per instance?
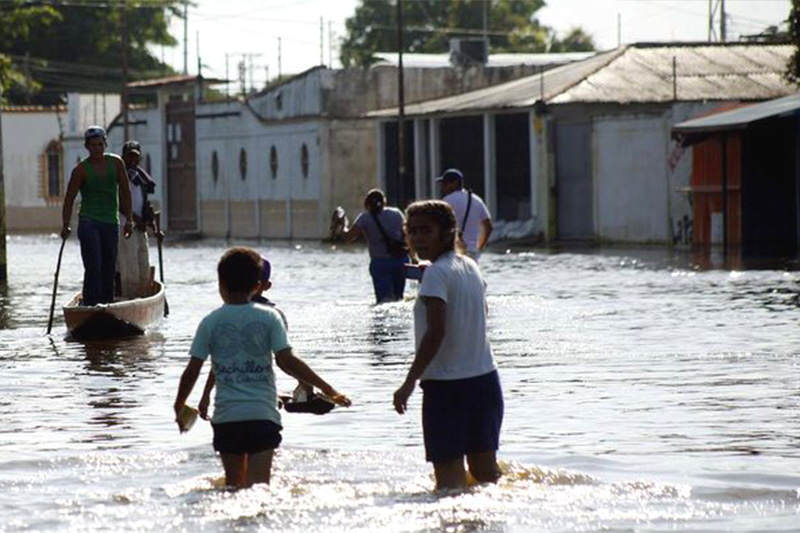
(639, 73)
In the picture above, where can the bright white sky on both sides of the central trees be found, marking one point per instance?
(238, 27)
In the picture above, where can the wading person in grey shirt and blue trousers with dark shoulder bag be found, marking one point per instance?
(383, 228)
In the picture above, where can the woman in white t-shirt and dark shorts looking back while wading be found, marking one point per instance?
(462, 403)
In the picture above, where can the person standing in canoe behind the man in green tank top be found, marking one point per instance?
(133, 260)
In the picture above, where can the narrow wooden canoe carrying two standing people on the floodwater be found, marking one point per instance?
(123, 318)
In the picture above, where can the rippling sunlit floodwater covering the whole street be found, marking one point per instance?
(641, 393)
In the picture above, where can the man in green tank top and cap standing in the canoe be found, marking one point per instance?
(103, 183)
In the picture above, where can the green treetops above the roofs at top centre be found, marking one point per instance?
(430, 24)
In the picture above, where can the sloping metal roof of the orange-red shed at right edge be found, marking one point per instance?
(741, 117)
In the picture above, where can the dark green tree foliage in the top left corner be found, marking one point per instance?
(49, 48)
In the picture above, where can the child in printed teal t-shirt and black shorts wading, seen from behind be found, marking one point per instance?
(241, 338)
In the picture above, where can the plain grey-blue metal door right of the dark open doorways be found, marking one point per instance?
(574, 180)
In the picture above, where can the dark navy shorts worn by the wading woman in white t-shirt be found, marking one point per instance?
(461, 416)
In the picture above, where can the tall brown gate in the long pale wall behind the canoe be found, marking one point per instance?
(181, 176)
